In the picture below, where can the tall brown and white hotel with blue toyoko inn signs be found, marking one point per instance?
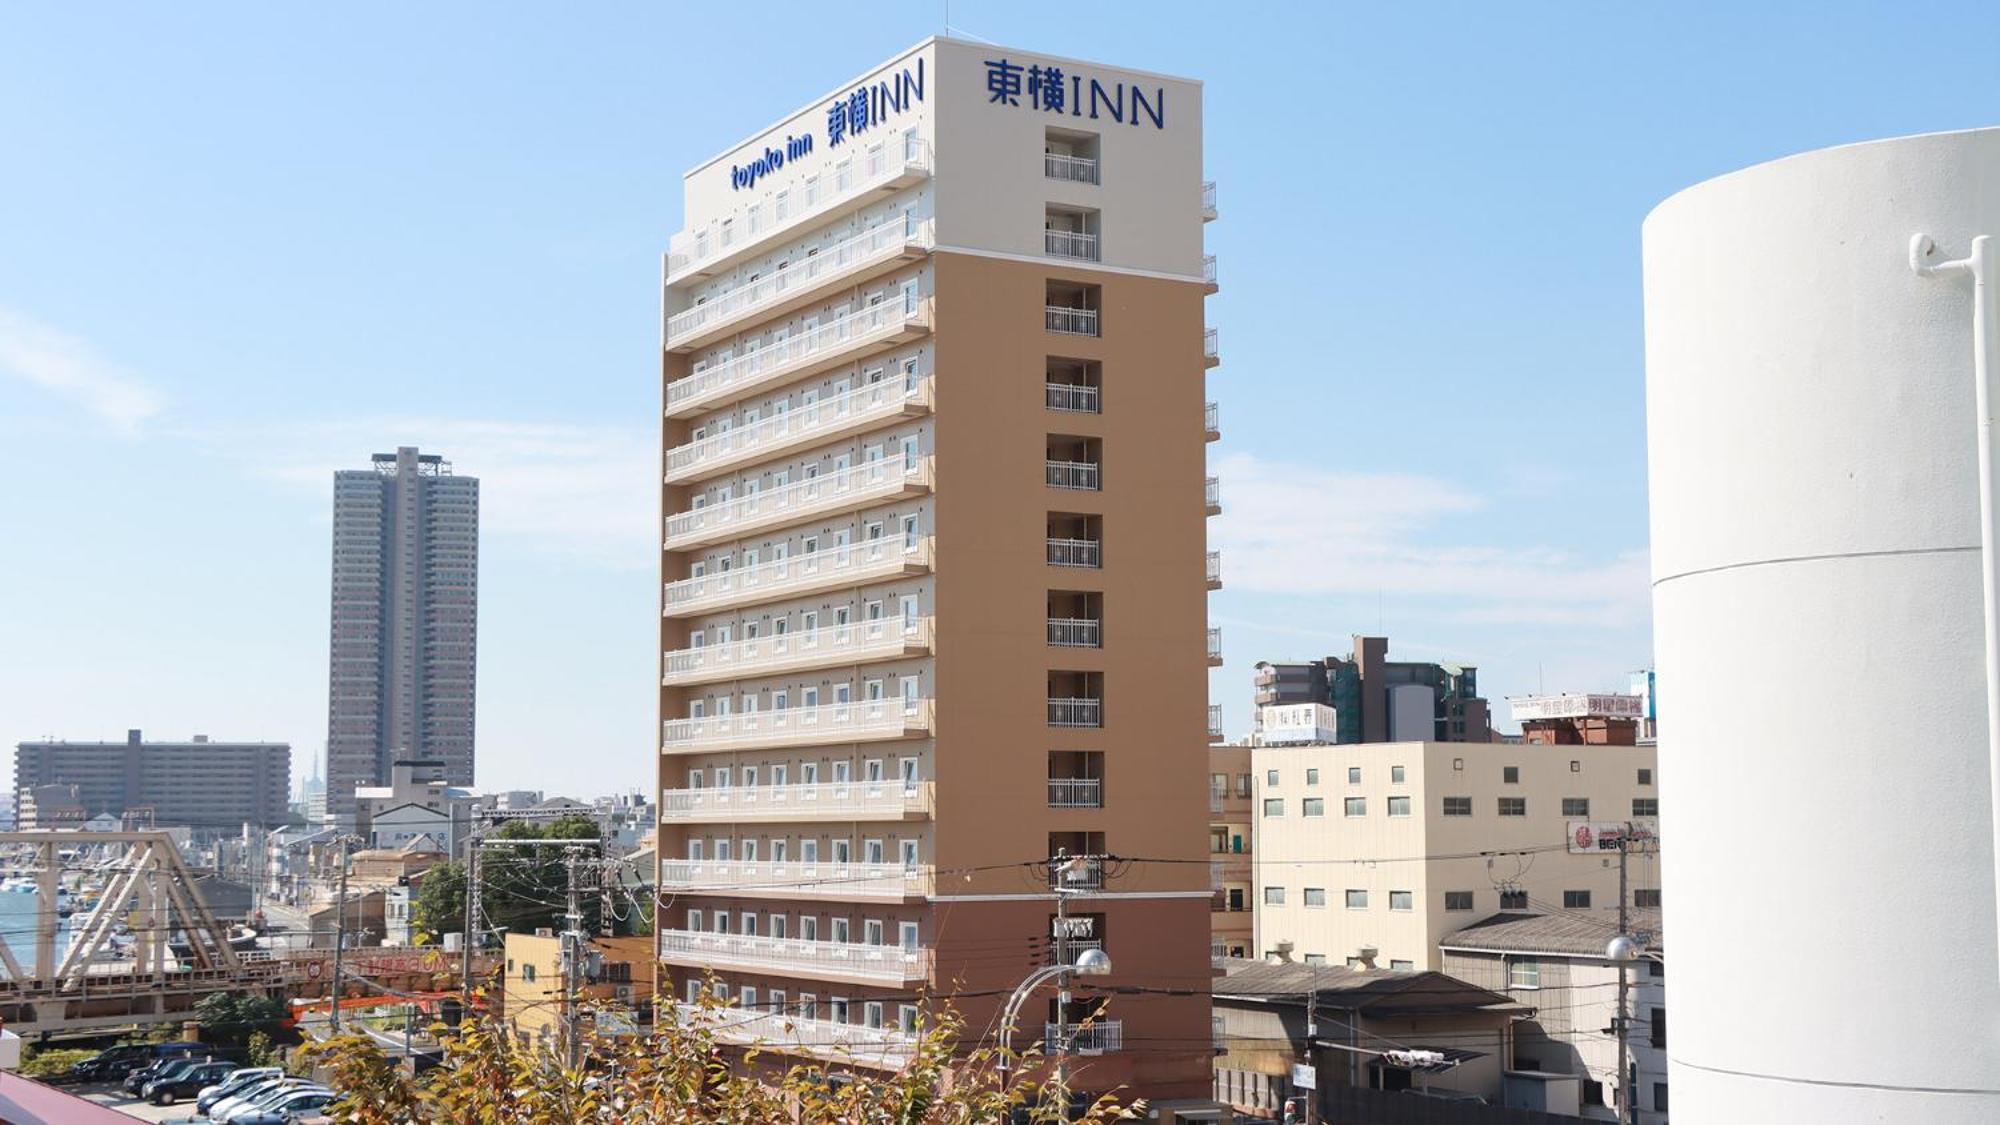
(935, 564)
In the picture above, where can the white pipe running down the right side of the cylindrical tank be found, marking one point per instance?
(1981, 265)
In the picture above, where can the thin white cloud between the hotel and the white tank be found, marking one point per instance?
(1299, 529)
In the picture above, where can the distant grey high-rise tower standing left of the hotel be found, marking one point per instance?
(405, 622)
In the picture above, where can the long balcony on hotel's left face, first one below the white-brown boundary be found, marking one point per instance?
(797, 357)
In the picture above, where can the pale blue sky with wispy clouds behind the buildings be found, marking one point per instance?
(247, 245)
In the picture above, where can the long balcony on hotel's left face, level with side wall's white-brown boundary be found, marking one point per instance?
(847, 263)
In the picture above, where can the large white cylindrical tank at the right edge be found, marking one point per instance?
(1827, 830)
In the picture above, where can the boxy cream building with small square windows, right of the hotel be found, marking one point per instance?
(1375, 852)
